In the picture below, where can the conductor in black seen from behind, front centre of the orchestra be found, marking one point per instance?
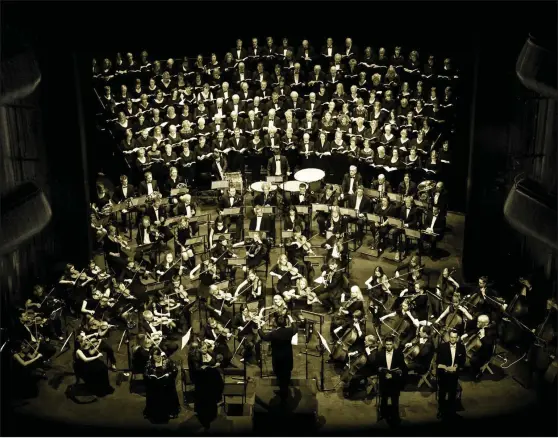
(281, 352)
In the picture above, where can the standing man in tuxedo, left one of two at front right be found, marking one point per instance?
(392, 371)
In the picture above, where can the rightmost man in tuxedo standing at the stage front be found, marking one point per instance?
(450, 360)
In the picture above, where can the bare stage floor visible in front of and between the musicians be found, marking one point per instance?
(496, 394)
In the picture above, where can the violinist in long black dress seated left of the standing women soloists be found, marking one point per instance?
(90, 366)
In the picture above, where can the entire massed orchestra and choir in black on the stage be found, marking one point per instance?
(258, 251)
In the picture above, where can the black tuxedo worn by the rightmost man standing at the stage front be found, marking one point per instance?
(448, 382)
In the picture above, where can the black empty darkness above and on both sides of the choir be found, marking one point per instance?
(483, 38)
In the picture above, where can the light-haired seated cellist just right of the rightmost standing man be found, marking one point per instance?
(479, 344)
